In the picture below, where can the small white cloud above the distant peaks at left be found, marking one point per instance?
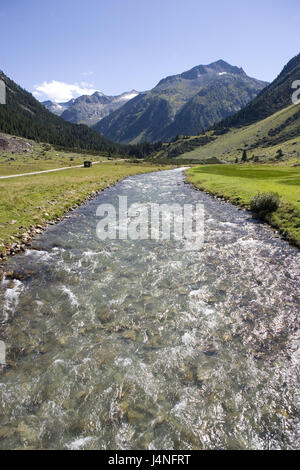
(61, 91)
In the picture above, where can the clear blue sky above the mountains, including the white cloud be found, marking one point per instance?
(62, 48)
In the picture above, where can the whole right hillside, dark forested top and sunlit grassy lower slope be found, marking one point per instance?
(267, 128)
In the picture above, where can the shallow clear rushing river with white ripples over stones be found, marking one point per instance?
(126, 344)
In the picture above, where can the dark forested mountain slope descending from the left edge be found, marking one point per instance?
(24, 116)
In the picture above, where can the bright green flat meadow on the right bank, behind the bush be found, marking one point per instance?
(239, 183)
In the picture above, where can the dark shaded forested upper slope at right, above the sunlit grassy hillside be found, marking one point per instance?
(273, 98)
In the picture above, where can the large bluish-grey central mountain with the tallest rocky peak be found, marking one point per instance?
(197, 98)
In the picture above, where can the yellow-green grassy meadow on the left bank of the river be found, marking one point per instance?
(34, 200)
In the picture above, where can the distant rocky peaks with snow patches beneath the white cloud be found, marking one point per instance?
(89, 109)
